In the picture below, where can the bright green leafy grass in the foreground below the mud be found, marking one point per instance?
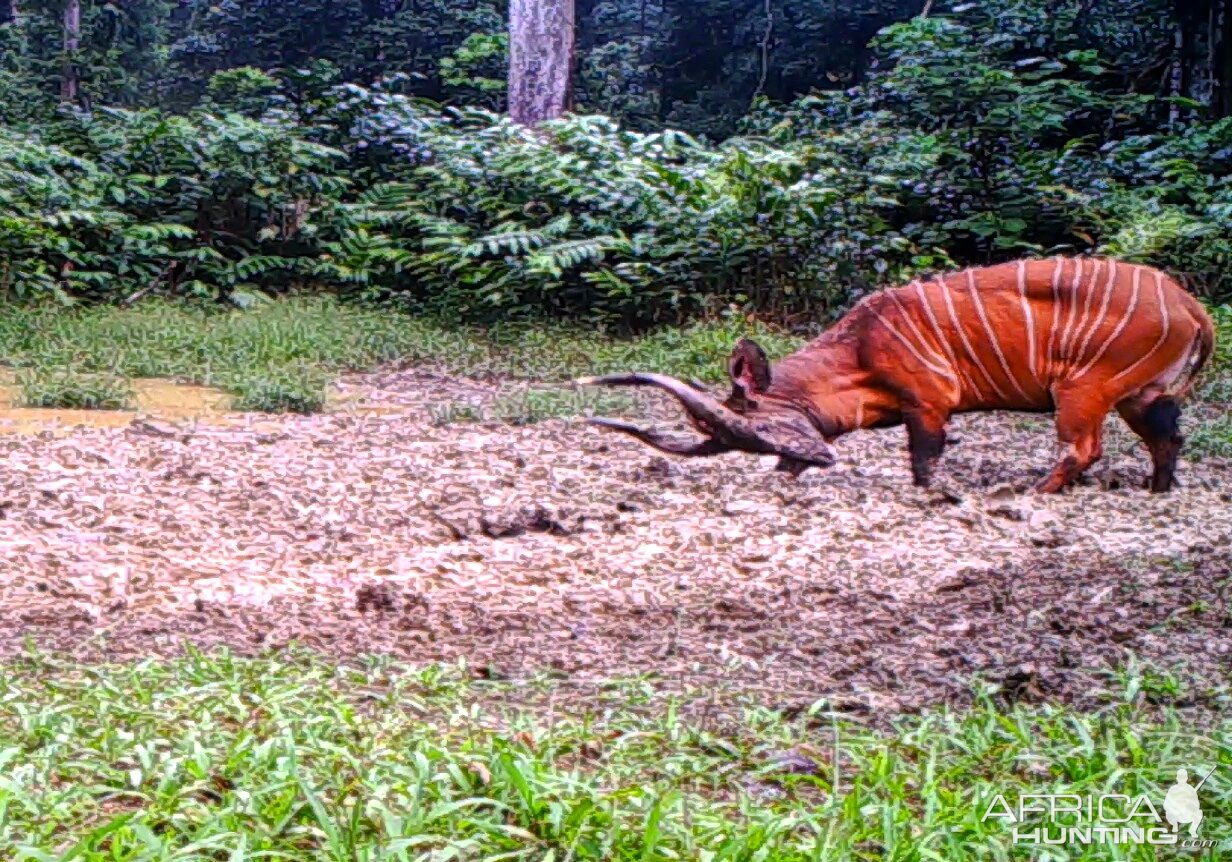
(213, 758)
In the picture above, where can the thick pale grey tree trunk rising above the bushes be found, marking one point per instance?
(540, 60)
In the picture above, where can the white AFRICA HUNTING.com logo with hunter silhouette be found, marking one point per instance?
(1058, 820)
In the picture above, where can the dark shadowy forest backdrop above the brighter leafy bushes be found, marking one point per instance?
(693, 65)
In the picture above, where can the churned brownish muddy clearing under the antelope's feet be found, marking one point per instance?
(560, 547)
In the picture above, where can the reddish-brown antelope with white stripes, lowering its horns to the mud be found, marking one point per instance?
(1077, 337)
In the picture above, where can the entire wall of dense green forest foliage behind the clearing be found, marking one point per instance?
(259, 152)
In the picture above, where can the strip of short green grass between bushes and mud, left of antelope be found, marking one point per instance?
(282, 356)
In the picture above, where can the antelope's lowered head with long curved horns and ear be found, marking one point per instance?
(753, 419)
